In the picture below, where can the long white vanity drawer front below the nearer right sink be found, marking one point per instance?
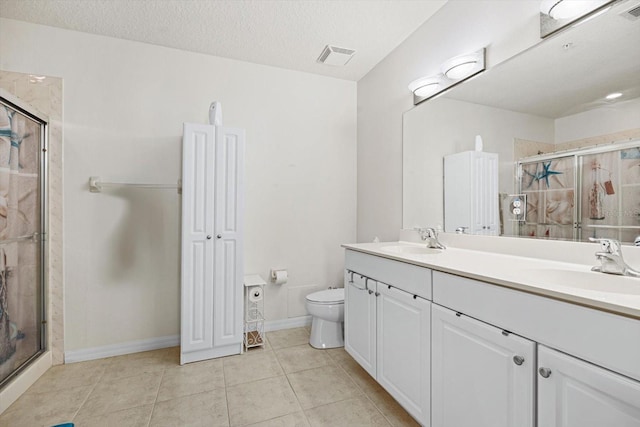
(602, 338)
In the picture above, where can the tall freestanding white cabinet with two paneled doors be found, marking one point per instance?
(212, 263)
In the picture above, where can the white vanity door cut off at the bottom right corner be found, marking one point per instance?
(574, 393)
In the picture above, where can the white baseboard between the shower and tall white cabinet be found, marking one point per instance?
(120, 349)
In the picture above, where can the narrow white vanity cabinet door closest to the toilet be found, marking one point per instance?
(360, 320)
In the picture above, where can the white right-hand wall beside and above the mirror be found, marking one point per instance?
(460, 26)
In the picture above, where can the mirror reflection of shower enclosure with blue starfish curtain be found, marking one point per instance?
(591, 192)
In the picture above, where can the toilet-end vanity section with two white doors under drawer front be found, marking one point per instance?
(388, 330)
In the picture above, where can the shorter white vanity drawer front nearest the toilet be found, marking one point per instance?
(408, 277)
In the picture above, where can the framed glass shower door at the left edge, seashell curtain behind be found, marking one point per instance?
(23, 138)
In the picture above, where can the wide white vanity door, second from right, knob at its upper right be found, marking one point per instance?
(478, 378)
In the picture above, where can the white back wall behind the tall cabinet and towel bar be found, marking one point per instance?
(124, 104)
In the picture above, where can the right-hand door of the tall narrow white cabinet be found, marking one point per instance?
(229, 274)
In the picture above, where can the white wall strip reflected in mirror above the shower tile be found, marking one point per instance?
(609, 118)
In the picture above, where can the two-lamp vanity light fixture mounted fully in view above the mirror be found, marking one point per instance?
(454, 71)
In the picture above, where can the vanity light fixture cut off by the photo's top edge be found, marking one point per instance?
(558, 14)
